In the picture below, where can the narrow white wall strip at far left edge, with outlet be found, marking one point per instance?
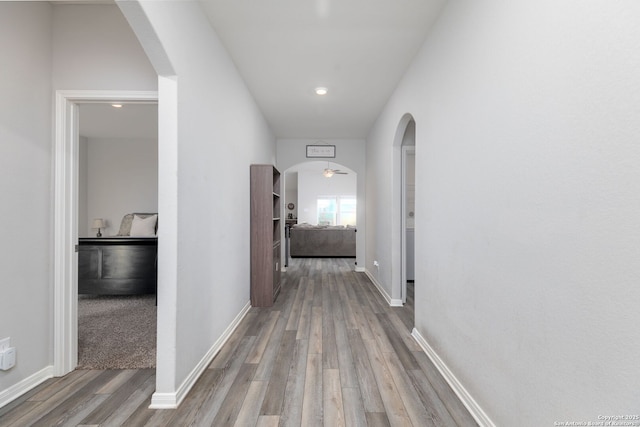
(25, 187)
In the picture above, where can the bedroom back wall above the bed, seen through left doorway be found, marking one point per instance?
(122, 178)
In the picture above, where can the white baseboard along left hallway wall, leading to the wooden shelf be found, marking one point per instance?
(173, 400)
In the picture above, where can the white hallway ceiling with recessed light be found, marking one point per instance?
(358, 49)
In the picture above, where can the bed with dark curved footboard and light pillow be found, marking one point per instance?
(125, 264)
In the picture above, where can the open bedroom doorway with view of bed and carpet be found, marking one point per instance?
(117, 176)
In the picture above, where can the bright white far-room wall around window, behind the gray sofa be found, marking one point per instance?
(311, 185)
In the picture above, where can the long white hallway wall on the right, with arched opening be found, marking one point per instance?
(527, 238)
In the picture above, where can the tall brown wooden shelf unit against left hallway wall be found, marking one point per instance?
(265, 235)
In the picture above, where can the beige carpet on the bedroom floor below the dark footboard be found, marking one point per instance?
(116, 332)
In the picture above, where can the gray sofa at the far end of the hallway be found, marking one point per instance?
(322, 241)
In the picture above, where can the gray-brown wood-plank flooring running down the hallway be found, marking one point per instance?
(329, 352)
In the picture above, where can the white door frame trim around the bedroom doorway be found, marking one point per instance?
(65, 218)
